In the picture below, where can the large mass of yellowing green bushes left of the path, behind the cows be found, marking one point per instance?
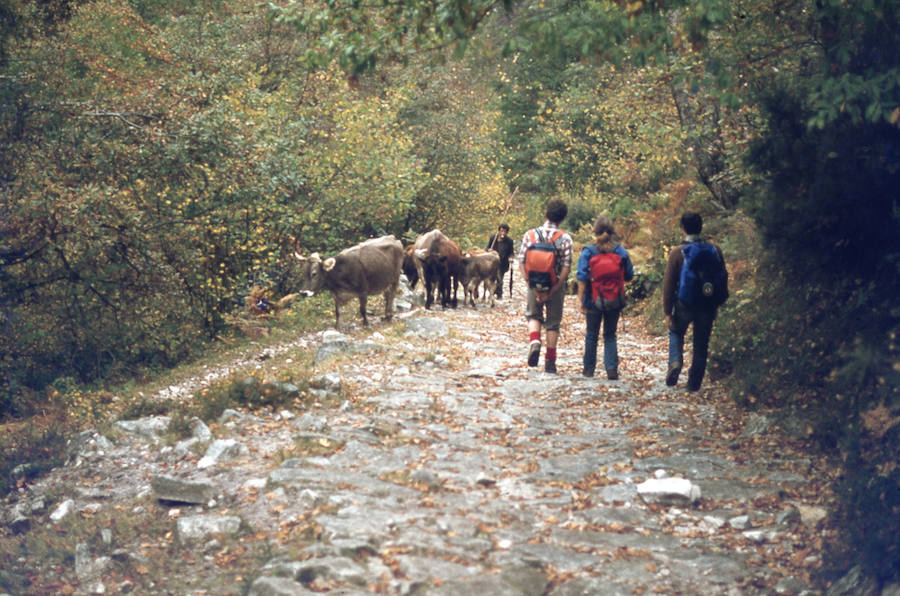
(156, 172)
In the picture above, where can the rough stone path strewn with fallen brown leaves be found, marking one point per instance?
(434, 462)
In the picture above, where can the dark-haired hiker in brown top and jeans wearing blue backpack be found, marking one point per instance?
(694, 286)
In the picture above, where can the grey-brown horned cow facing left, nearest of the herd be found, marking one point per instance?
(370, 268)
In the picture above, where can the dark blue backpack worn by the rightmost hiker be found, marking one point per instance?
(704, 280)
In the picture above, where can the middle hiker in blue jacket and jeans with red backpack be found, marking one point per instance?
(603, 269)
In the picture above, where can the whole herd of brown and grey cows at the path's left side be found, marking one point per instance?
(374, 267)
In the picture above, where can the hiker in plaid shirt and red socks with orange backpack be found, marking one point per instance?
(545, 259)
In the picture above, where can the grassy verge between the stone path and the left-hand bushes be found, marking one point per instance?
(33, 445)
